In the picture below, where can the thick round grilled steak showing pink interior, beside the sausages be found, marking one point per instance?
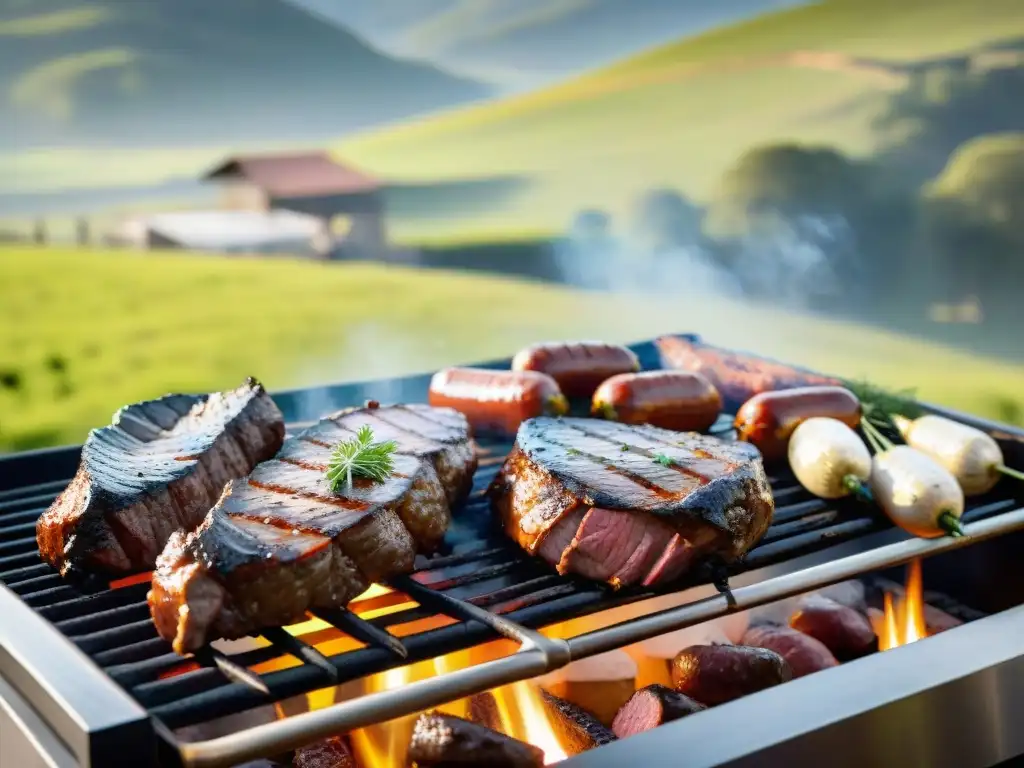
(630, 504)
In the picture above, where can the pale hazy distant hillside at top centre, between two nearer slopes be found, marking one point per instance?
(530, 44)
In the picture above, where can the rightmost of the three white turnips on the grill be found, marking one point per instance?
(973, 457)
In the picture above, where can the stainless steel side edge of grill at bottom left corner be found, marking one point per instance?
(84, 708)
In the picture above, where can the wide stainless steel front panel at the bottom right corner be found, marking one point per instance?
(952, 701)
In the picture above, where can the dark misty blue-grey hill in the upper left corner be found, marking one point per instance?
(178, 73)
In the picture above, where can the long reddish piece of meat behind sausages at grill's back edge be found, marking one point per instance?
(738, 377)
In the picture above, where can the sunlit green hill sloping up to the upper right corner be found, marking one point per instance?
(682, 114)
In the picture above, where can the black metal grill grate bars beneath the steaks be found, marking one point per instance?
(479, 568)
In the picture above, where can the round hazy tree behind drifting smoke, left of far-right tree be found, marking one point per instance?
(803, 225)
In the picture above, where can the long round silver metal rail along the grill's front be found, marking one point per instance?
(282, 736)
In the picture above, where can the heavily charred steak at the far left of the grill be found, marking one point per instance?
(158, 468)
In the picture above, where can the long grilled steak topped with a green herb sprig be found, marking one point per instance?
(280, 542)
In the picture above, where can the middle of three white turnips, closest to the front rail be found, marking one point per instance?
(916, 492)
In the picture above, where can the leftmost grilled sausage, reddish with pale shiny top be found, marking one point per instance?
(497, 401)
